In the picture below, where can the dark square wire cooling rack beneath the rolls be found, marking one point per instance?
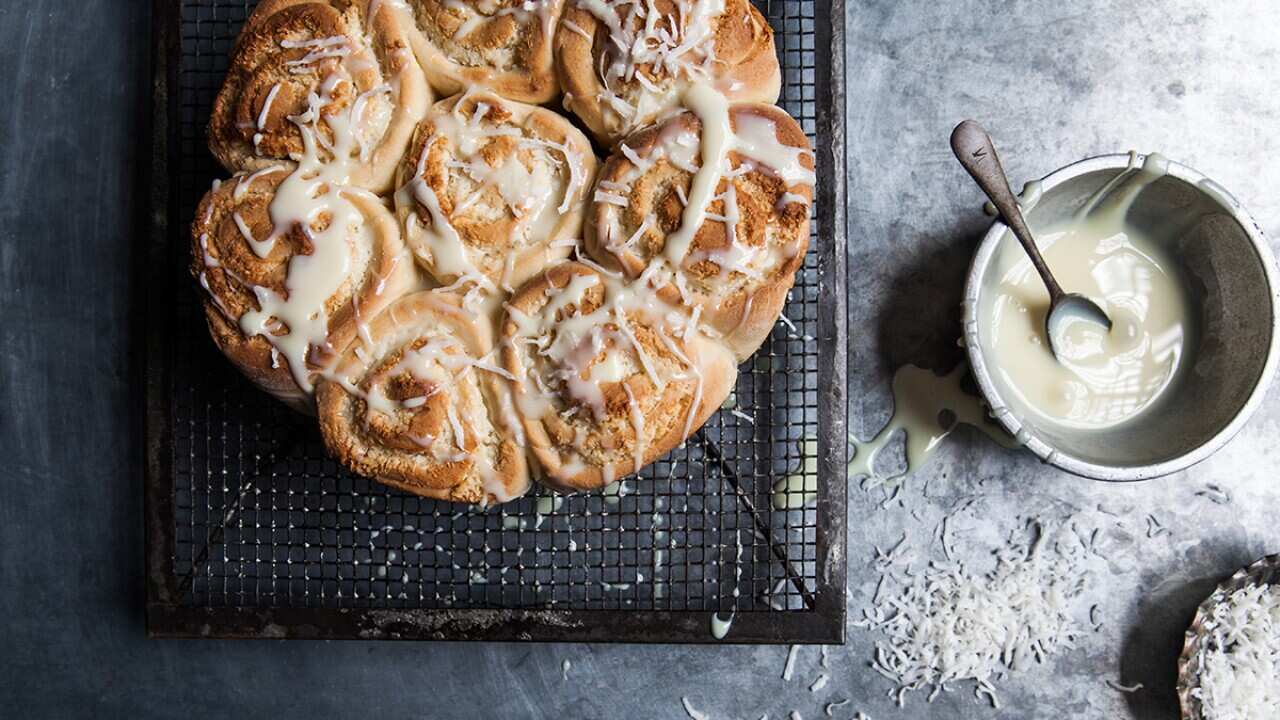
(253, 531)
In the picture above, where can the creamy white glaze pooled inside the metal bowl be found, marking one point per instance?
(1100, 379)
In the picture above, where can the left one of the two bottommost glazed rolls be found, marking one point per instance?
(414, 400)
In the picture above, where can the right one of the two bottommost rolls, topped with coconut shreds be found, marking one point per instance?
(606, 376)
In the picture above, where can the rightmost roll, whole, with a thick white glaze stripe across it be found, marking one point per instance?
(714, 207)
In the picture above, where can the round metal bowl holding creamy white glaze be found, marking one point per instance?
(1191, 288)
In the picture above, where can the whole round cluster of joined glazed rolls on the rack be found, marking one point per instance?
(353, 195)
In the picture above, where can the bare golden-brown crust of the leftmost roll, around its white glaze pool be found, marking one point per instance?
(228, 270)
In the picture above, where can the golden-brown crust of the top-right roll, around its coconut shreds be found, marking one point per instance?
(746, 66)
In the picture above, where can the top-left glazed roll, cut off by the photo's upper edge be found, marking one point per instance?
(333, 79)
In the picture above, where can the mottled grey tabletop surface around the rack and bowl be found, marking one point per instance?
(1054, 81)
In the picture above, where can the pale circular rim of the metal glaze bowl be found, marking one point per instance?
(1062, 459)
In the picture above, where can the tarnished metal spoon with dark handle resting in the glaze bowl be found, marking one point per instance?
(975, 151)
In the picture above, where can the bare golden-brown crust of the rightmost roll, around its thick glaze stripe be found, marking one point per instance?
(770, 239)
